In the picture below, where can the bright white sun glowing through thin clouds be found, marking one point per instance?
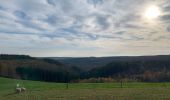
(152, 12)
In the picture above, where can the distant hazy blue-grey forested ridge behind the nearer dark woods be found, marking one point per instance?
(92, 62)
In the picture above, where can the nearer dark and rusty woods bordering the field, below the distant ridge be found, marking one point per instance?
(29, 68)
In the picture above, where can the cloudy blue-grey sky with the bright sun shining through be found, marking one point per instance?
(83, 28)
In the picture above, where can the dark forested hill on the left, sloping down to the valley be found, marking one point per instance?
(30, 68)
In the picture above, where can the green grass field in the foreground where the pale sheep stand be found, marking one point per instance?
(84, 91)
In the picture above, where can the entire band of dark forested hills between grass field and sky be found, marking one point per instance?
(143, 68)
